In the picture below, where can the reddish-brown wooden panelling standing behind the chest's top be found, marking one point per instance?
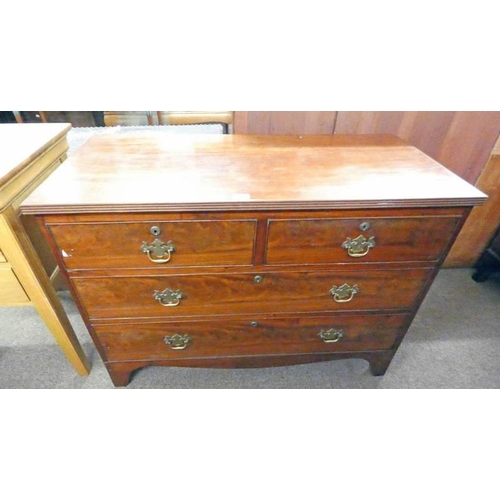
(460, 140)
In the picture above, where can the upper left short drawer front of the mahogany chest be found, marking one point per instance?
(167, 243)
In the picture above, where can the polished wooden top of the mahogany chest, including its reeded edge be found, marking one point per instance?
(157, 172)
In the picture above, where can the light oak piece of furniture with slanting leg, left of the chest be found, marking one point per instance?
(28, 154)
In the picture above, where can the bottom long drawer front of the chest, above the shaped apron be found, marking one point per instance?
(252, 337)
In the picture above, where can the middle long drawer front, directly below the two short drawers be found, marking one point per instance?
(225, 294)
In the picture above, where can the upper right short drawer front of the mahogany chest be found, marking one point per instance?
(391, 239)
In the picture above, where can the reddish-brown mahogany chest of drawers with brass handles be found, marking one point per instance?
(244, 251)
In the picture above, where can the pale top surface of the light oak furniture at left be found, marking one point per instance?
(21, 143)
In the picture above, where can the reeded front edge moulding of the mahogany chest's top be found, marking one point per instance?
(248, 206)
